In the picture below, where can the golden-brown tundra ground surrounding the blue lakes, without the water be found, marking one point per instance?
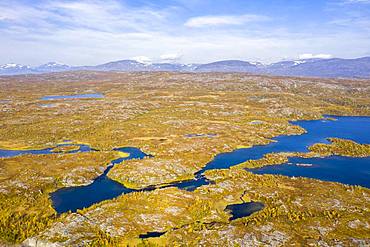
(155, 112)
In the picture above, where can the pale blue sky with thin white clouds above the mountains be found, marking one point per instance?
(90, 32)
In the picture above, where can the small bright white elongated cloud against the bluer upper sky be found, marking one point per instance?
(204, 21)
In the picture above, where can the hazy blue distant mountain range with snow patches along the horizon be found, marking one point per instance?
(329, 68)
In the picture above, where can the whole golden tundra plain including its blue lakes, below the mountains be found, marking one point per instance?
(183, 159)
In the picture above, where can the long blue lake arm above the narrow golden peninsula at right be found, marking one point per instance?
(352, 128)
